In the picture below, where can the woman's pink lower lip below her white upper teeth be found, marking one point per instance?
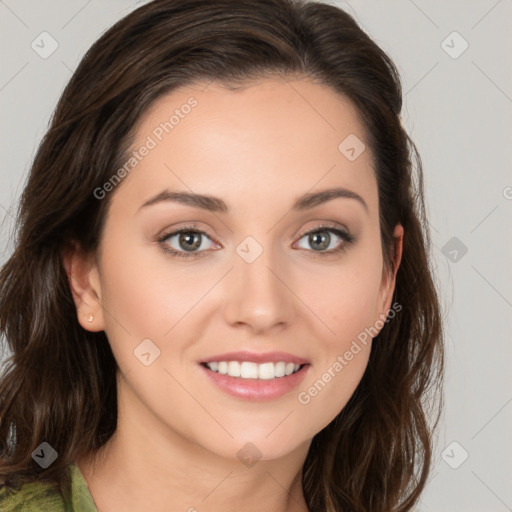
(257, 389)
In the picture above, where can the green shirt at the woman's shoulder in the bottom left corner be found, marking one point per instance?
(41, 497)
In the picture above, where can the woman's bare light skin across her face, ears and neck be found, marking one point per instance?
(258, 149)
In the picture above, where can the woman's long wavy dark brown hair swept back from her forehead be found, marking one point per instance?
(59, 384)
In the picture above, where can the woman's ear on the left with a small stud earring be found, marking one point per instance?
(84, 283)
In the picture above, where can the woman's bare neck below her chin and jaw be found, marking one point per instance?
(148, 466)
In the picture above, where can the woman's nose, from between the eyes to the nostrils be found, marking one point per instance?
(258, 296)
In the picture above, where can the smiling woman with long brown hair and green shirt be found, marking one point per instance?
(221, 290)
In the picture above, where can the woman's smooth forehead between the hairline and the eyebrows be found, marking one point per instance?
(265, 139)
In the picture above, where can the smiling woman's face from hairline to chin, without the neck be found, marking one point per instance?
(254, 282)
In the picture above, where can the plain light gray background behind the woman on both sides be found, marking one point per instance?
(458, 110)
